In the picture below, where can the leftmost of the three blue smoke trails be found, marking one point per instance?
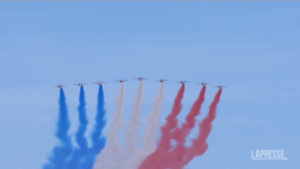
(61, 152)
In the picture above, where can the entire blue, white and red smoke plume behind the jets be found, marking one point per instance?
(107, 153)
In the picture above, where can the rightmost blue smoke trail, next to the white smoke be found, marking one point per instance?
(98, 142)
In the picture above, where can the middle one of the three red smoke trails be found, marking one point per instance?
(179, 134)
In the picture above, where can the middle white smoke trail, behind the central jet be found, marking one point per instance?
(132, 130)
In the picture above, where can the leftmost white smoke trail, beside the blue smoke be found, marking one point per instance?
(113, 146)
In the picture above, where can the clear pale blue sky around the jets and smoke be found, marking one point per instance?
(251, 47)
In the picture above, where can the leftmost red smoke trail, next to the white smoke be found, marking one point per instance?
(159, 157)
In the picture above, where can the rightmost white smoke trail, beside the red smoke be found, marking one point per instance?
(152, 125)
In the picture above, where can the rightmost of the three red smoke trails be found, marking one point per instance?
(199, 145)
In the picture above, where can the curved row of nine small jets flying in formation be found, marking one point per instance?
(140, 79)
